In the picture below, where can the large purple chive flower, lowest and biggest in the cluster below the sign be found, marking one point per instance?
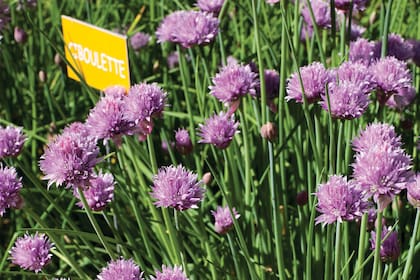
(69, 159)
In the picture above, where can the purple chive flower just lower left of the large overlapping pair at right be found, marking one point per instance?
(339, 200)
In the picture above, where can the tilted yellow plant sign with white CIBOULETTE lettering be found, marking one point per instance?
(96, 55)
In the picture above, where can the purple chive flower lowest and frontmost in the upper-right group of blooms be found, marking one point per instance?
(347, 100)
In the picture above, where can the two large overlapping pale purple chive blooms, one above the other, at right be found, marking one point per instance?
(381, 167)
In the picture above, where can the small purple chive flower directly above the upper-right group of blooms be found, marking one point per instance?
(363, 51)
